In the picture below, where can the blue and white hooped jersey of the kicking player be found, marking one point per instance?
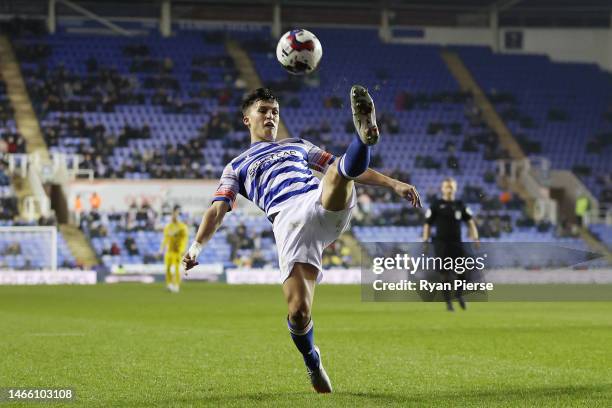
(271, 174)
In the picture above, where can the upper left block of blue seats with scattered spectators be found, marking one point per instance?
(135, 108)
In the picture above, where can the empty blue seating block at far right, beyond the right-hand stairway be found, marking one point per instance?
(562, 111)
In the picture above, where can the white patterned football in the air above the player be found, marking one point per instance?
(299, 52)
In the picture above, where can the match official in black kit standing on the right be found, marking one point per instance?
(446, 215)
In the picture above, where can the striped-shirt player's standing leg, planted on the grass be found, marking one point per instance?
(299, 292)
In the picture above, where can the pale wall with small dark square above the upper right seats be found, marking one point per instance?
(592, 45)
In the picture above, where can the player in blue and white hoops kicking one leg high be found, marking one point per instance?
(307, 214)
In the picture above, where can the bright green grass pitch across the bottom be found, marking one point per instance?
(136, 345)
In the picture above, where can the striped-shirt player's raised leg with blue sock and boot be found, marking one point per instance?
(338, 180)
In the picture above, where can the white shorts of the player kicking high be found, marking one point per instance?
(304, 229)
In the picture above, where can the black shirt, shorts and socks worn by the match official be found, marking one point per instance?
(446, 217)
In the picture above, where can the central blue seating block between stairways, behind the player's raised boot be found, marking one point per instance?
(431, 131)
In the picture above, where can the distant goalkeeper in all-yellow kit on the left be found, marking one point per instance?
(174, 244)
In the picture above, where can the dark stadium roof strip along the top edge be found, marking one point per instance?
(529, 13)
